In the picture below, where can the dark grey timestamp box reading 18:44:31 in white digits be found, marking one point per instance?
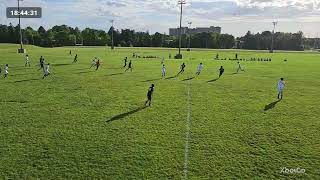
(24, 12)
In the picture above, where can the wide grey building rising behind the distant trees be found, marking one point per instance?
(186, 30)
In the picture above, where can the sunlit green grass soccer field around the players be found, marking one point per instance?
(81, 123)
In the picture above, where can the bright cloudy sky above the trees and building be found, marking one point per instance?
(235, 17)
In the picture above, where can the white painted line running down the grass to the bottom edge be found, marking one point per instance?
(186, 150)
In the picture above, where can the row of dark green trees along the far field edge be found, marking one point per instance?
(64, 35)
